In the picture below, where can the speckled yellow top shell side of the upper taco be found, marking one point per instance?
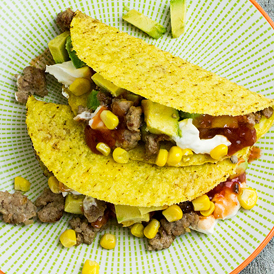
(143, 69)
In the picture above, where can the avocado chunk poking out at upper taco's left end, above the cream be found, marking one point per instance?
(57, 47)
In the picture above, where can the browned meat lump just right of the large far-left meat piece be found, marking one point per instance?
(52, 206)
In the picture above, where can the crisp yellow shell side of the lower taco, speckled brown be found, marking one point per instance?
(59, 142)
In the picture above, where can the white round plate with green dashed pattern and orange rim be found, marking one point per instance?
(230, 38)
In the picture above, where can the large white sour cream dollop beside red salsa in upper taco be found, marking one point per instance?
(190, 139)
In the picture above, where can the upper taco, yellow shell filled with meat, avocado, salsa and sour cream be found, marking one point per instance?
(160, 101)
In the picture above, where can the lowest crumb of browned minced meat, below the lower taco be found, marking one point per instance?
(161, 241)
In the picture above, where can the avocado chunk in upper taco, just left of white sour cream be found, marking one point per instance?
(160, 119)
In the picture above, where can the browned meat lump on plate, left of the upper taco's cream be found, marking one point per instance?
(32, 81)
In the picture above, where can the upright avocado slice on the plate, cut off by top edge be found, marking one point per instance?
(177, 17)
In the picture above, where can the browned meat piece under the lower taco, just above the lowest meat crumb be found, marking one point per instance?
(179, 227)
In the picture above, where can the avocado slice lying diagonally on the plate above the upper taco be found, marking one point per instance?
(144, 23)
